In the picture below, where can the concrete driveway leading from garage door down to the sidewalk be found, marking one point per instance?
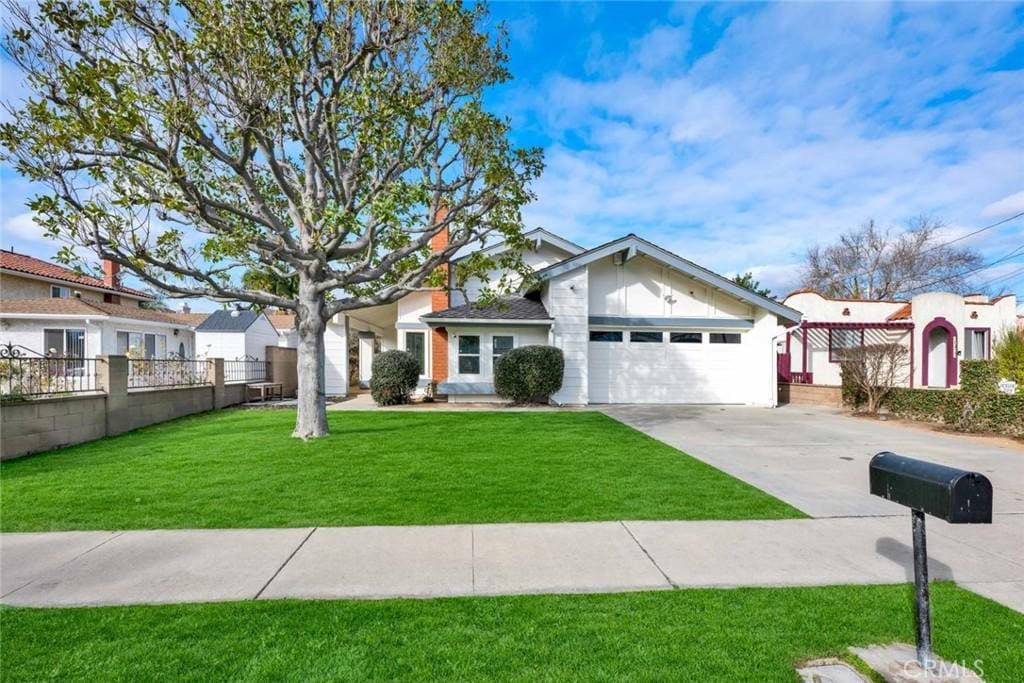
(817, 459)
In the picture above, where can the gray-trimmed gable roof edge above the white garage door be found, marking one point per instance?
(634, 245)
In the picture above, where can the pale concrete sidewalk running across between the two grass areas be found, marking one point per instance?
(161, 567)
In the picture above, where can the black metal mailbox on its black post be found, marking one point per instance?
(957, 496)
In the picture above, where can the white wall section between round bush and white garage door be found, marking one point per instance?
(567, 302)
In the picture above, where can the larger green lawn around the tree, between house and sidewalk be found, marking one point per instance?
(243, 469)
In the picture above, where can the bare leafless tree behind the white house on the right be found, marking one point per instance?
(873, 263)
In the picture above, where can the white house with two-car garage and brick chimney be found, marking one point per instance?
(636, 324)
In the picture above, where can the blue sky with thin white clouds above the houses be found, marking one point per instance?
(738, 136)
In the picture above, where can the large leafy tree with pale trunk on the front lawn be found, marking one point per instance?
(324, 144)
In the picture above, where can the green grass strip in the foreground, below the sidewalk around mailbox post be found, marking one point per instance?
(693, 635)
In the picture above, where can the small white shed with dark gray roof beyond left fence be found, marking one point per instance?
(236, 335)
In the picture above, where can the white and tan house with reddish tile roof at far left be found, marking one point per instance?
(49, 309)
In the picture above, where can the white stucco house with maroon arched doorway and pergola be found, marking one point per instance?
(938, 329)
